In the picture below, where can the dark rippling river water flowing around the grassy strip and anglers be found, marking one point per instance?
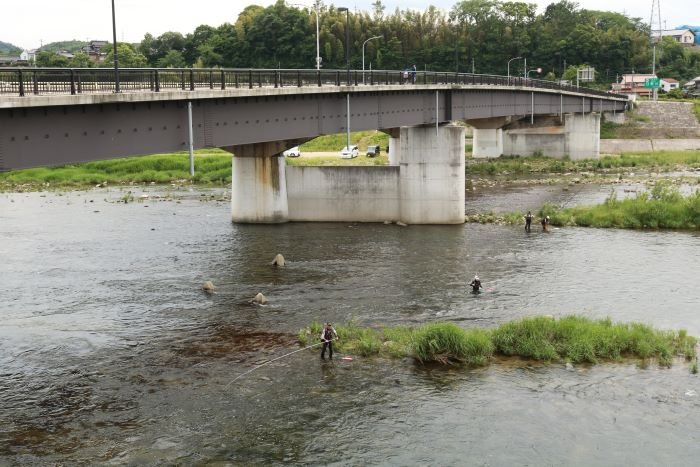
(111, 354)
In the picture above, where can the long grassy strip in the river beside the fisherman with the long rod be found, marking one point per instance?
(572, 339)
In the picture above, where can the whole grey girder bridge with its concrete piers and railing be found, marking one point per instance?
(59, 116)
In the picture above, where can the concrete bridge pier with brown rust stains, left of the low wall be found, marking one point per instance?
(259, 184)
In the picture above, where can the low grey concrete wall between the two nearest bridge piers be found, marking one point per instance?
(347, 194)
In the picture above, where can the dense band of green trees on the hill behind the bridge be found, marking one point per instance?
(474, 35)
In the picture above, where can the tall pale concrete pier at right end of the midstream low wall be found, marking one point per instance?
(432, 175)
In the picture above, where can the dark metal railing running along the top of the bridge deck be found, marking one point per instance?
(51, 81)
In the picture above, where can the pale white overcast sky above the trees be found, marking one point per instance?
(42, 21)
